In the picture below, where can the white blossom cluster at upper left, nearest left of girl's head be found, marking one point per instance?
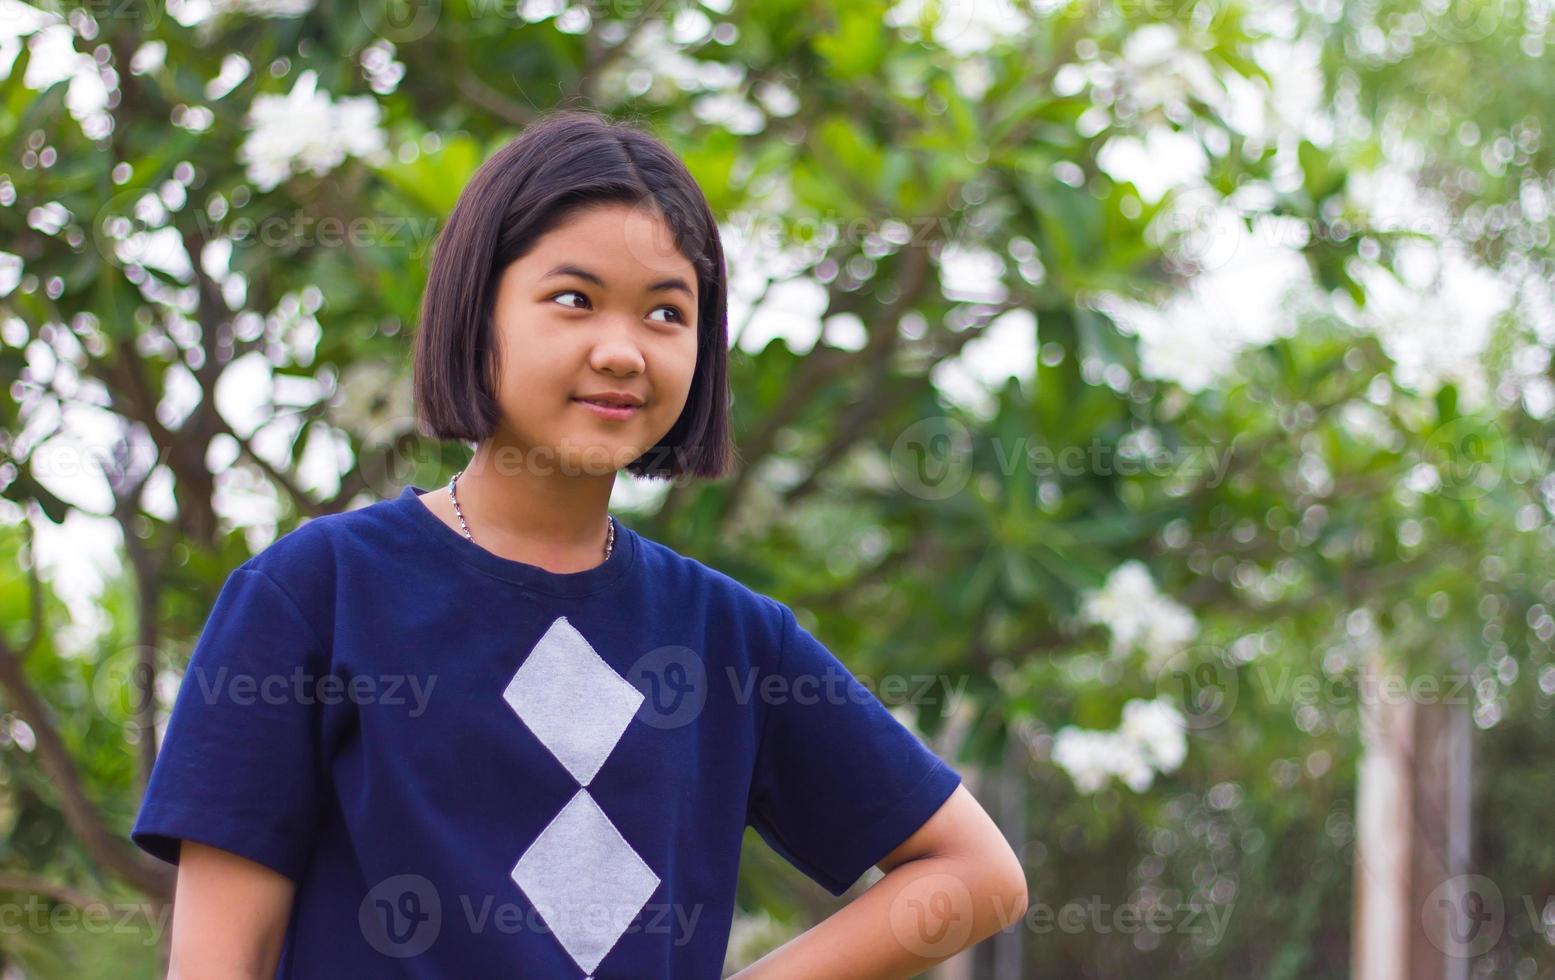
(306, 130)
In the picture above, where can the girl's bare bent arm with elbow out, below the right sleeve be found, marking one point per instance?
(949, 886)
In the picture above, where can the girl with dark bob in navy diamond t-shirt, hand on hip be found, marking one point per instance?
(489, 730)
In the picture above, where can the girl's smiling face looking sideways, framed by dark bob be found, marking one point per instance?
(603, 304)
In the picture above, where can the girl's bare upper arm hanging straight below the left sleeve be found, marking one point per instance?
(229, 915)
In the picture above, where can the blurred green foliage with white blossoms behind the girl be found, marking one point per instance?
(1139, 371)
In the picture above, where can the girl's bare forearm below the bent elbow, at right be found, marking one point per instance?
(918, 915)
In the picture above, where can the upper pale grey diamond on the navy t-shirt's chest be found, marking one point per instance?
(573, 701)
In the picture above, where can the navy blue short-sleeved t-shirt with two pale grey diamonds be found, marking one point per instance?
(478, 768)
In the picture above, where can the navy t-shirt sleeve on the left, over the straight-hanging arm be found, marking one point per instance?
(239, 760)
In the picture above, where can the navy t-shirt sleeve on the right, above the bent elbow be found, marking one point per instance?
(839, 782)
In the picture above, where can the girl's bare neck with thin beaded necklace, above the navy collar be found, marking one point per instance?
(536, 517)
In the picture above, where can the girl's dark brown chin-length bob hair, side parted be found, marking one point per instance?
(562, 164)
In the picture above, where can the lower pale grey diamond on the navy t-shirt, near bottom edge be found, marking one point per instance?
(585, 880)
